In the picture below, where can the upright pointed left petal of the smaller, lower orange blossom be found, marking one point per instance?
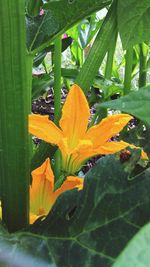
(42, 189)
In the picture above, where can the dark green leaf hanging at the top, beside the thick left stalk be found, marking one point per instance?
(41, 30)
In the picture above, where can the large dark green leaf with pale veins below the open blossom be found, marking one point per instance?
(91, 227)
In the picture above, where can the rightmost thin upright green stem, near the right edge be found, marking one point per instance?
(142, 65)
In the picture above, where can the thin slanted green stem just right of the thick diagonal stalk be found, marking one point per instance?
(110, 57)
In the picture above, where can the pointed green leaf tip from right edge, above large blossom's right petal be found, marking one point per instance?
(136, 103)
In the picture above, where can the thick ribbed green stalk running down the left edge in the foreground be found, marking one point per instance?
(15, 84)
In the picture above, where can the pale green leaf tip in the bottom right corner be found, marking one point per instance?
(137, 252)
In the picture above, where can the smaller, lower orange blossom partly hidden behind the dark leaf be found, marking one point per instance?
(42, 194)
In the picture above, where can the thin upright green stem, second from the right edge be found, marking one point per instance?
(128, 70)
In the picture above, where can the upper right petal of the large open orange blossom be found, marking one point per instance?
(107, 128)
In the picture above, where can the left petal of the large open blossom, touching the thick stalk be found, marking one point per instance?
(44, 129)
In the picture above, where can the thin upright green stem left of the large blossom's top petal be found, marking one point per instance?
(57, 78)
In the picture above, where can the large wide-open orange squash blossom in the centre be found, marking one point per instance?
(76, 141)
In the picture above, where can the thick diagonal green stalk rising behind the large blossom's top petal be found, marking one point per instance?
(98, 50)
